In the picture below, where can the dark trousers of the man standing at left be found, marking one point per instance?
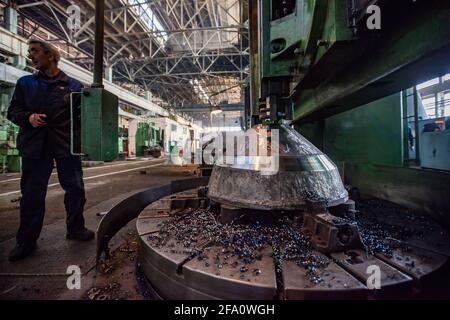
(34, 182)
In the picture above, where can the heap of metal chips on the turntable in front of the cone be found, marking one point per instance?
(196, 228)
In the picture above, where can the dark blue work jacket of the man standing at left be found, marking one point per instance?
(51, 96)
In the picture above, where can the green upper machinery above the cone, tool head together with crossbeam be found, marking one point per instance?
(315, 58)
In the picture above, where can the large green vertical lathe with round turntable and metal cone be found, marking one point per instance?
(296, 233)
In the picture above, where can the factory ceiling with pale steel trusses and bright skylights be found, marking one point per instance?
(186, 53)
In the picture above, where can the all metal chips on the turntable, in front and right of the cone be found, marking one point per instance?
(198, 229)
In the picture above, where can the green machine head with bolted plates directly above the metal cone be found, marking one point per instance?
(292, 44)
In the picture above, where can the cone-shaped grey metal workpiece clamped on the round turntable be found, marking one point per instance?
(304, 175)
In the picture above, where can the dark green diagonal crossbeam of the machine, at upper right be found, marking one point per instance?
(414, 48)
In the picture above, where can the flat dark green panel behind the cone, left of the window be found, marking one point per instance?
(370, 134)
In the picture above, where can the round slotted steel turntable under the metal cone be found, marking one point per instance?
(186, 265)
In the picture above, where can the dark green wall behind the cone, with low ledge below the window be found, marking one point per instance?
(366, 143)
